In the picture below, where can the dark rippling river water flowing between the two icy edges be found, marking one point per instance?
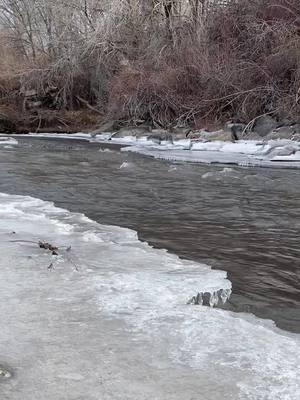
(245, 221)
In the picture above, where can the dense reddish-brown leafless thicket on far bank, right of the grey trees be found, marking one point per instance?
(245, 63)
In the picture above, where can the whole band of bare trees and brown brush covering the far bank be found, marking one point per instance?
(70, 65)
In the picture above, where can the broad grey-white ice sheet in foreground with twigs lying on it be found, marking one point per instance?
(108, 319)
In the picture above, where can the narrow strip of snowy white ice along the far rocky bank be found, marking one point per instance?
(273, 153)
